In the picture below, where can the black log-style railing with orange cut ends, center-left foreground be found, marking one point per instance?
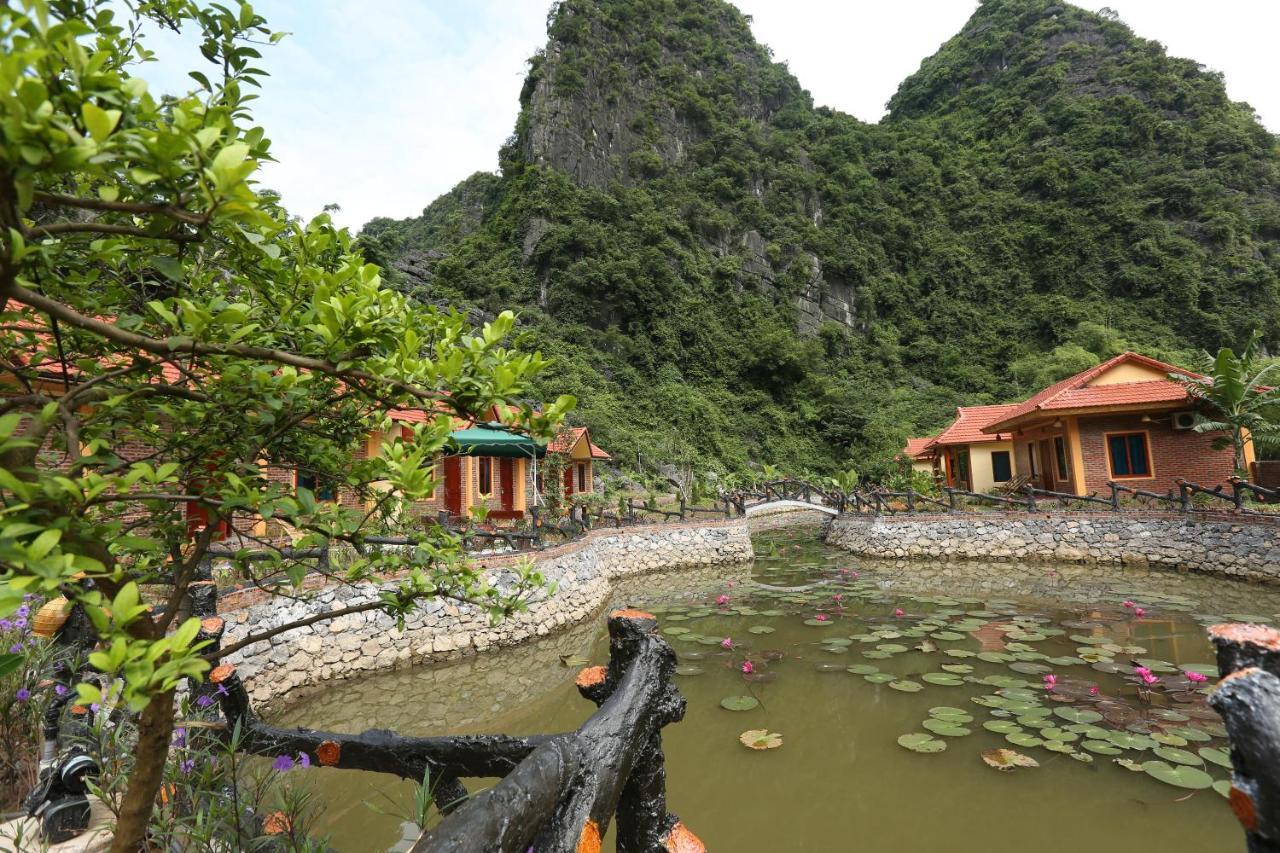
(559, 793)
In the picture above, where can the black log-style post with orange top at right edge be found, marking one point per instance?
(1249, 699)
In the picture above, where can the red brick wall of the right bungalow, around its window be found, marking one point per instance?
(1174, 454)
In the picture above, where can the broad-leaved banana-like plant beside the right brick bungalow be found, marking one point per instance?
(1238, 402)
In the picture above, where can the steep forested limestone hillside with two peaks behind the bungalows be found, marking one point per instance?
(726, 273)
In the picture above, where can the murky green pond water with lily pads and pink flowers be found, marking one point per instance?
(842, 681)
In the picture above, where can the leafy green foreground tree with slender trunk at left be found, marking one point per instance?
(168, 332)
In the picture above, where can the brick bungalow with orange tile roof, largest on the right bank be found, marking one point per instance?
(1122, 421)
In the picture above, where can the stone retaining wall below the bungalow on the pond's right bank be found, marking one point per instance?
(1215, 544)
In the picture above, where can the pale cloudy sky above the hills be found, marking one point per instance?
(382, 106)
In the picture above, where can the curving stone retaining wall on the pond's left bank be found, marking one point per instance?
(360, 644)
